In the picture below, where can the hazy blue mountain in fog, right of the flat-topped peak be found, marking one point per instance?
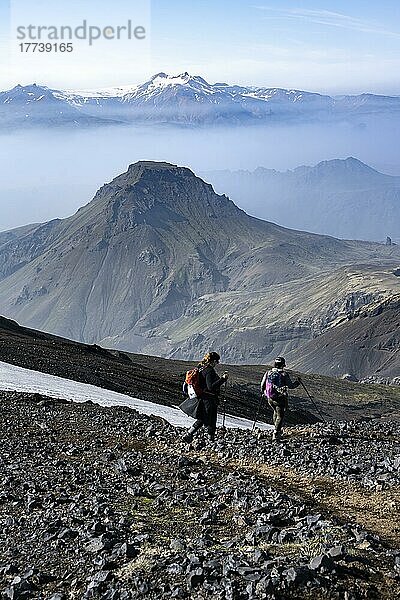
(344, 198)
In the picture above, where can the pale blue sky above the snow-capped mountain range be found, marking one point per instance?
(332, 46)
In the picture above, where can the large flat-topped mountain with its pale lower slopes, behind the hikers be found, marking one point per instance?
(159, 263)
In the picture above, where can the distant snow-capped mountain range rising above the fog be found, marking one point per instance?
(182, 99)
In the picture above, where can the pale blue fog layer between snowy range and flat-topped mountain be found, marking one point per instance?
(51, 173)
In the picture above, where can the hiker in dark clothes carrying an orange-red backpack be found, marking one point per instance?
(202, 387)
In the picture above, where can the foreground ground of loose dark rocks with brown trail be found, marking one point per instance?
(106, 503)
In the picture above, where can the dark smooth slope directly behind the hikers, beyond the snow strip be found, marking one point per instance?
(159, 380)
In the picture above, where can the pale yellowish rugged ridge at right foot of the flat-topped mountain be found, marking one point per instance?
(256, 326)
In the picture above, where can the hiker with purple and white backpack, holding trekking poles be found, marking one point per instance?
(274, 386)
